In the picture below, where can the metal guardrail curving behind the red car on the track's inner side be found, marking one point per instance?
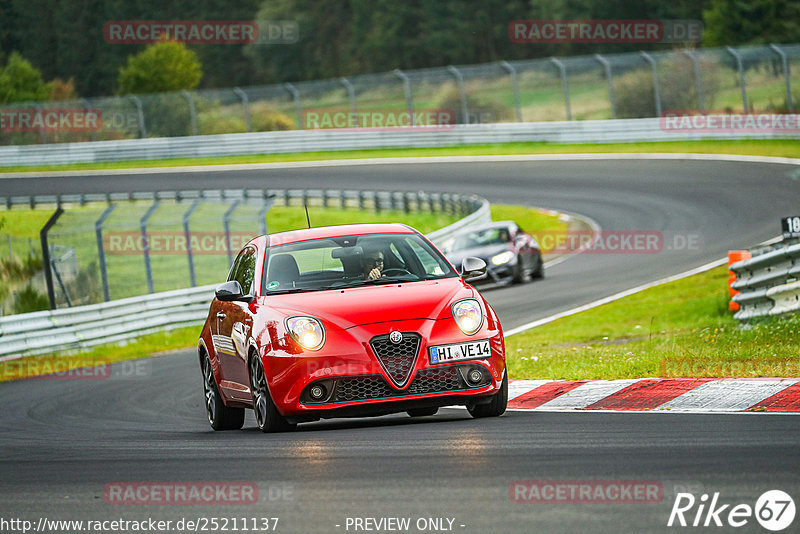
(118, 320)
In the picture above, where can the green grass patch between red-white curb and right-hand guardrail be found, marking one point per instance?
(679, 329)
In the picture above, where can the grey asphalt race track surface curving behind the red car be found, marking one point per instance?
(62, 441)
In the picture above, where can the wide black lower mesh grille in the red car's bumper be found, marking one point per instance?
(434, 380)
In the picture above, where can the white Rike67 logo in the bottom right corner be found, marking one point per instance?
(774, 510)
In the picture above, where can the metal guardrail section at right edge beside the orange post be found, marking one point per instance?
(768, 283)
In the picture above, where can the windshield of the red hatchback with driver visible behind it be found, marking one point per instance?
(352, 261)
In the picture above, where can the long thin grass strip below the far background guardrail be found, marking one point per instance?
(772, 147)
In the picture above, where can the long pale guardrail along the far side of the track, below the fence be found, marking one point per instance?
(605, 131)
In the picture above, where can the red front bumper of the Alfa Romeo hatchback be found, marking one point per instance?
(349, 372)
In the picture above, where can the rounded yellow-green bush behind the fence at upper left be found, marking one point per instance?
(161, 67)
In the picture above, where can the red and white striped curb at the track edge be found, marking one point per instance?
(693, 395)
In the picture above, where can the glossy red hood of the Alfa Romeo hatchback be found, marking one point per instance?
(347, 308)
